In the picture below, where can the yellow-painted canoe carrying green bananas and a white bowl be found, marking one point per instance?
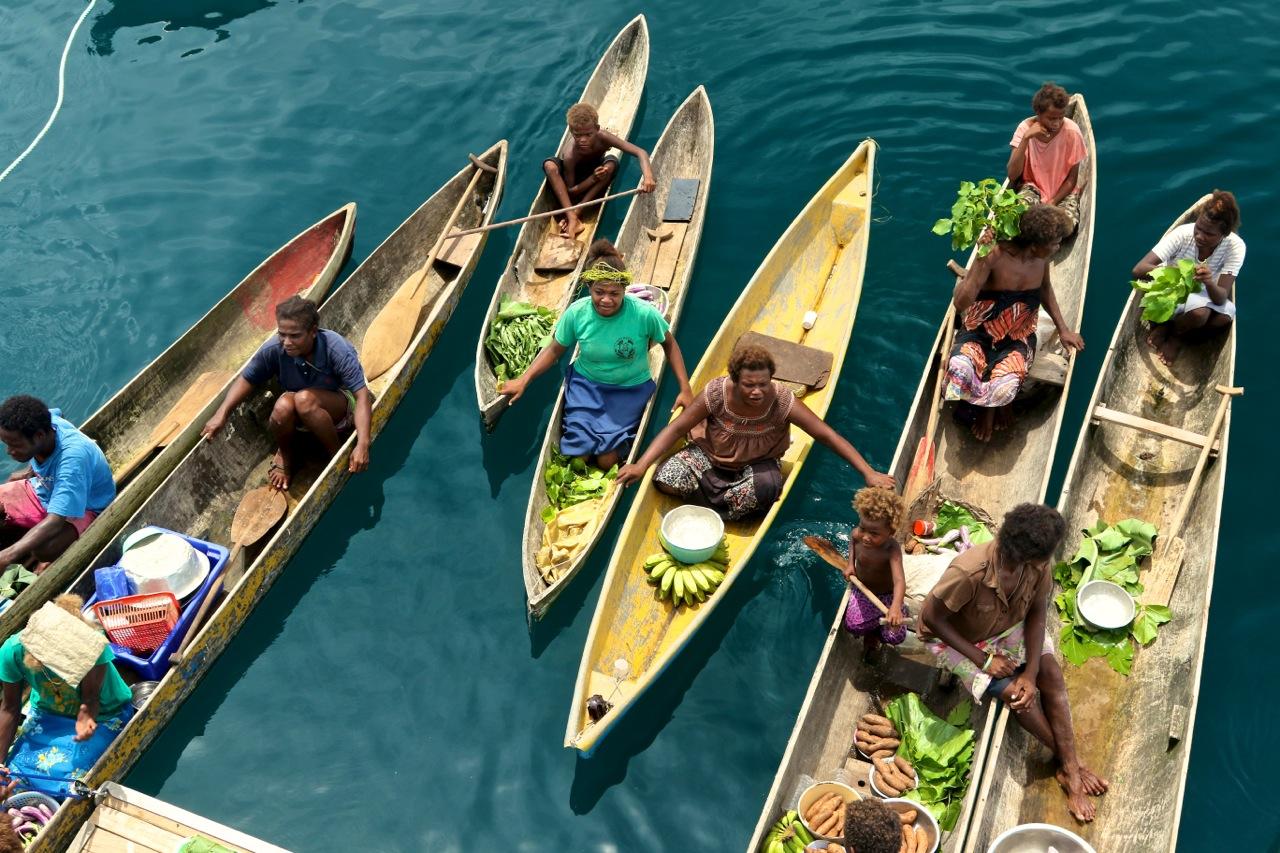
(819, 266)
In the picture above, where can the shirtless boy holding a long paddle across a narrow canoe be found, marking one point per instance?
(586, 170)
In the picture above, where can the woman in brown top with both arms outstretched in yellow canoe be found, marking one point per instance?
(739, 428)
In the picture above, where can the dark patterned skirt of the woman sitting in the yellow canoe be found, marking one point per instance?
(735, 495)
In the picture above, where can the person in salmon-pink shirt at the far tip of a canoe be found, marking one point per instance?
(1048, 152)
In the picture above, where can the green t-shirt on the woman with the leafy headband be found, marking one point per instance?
(612, 350)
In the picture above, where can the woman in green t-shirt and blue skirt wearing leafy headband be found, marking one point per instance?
(610, 385)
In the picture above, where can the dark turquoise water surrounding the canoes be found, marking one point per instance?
(387, 695)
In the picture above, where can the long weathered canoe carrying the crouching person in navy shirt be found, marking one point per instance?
(202, 495)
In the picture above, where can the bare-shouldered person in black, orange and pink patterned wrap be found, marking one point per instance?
(999, 303)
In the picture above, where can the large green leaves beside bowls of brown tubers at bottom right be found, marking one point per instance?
(941, 752)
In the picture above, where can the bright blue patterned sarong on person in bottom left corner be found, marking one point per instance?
(47, 746)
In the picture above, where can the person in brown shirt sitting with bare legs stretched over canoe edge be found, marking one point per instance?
(986, 621)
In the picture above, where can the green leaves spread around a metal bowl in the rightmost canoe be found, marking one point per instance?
(1108, 553)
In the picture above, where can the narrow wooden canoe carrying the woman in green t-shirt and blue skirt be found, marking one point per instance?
(685, 150)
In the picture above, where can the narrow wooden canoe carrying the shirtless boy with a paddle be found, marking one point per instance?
(615, 90)
